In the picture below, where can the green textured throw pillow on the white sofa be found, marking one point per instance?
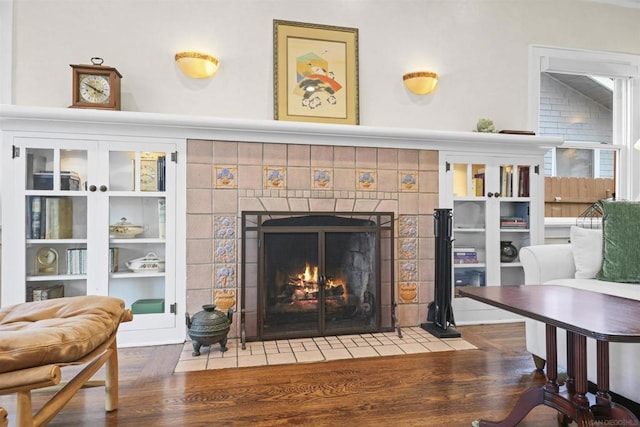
(621, 241)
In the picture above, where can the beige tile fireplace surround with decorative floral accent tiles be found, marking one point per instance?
(226, 178)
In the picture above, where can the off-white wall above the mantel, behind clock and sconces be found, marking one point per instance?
(479, 47)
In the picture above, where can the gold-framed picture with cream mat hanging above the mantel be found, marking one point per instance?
(315, 73)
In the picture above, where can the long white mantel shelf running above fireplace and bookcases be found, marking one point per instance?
(15, 118)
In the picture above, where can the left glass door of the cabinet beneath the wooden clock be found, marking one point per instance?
(55, 218)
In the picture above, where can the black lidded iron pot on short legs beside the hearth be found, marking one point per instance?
(209, 327)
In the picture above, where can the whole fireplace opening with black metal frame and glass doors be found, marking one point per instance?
(319, 273)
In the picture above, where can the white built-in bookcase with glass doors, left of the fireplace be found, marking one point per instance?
(85, 210)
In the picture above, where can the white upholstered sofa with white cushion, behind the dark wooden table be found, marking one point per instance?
(575, 265)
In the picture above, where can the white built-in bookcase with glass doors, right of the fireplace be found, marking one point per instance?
(496, 201)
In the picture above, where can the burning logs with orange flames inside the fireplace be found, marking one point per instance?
(306, 286)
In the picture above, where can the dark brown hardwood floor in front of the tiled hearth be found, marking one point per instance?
(428, 389)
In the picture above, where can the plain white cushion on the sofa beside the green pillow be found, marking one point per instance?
(586, 245)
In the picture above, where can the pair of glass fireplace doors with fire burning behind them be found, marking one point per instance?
(318, 283)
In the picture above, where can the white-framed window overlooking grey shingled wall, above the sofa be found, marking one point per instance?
(585, 98)
